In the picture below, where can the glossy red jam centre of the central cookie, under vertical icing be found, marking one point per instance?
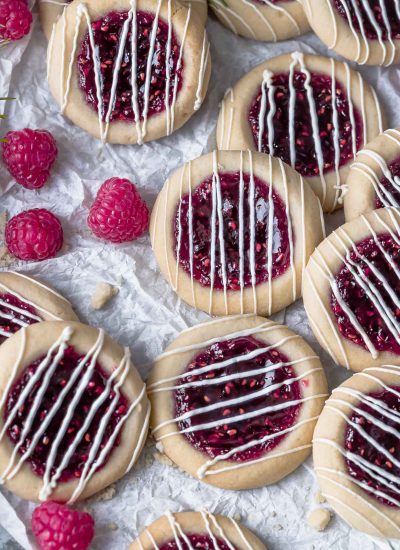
(202, 209)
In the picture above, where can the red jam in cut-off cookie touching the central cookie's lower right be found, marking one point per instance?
(357, 300)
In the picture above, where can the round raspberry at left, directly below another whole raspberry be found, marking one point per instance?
(34, 235)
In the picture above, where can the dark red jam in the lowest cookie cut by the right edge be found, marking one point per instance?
(358, 444)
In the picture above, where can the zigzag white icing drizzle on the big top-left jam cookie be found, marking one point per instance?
(140, 119)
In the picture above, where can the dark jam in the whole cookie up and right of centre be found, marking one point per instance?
(306, 157)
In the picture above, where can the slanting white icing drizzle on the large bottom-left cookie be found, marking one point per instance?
(79, 378)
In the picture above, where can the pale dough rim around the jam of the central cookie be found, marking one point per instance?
(306, 222)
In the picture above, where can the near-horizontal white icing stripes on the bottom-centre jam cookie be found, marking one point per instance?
(163, 385)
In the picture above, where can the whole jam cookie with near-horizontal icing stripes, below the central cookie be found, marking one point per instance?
(235, 401)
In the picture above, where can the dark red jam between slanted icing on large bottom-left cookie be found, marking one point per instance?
(58, 381)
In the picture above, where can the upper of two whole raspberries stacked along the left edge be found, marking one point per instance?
(29, 156)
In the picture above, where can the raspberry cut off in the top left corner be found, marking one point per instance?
(15, 19)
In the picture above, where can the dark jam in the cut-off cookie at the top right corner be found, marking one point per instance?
(376, 18)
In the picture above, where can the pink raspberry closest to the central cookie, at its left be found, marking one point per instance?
(118, 213)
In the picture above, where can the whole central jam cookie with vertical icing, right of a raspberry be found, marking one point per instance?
(233, 230)
